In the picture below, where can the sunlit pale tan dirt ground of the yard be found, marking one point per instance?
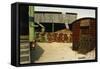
(55, 52)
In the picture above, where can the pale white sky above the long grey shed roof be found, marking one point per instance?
(81, 12)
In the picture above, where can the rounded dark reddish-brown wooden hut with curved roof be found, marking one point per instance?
(84, 35)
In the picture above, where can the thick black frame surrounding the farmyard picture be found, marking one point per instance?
(15, 33)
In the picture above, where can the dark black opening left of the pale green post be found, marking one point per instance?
(23, 16)
